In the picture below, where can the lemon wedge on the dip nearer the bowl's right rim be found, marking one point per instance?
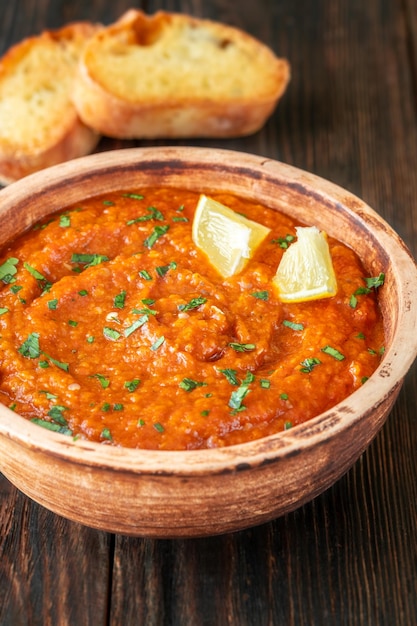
(306, 269)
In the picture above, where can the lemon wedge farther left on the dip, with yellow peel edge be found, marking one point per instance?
(227, 238)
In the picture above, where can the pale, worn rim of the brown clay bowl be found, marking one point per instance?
(390, 372)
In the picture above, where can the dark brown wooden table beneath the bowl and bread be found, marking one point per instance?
(350, 556)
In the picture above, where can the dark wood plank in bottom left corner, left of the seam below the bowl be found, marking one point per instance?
(51, 571)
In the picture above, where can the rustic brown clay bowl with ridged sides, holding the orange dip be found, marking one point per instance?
(195, 493)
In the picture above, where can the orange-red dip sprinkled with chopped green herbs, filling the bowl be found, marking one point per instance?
(115, 328)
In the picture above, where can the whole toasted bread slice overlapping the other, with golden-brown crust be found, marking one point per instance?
(172, 75)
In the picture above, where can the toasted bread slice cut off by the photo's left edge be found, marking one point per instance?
(39, 125)
